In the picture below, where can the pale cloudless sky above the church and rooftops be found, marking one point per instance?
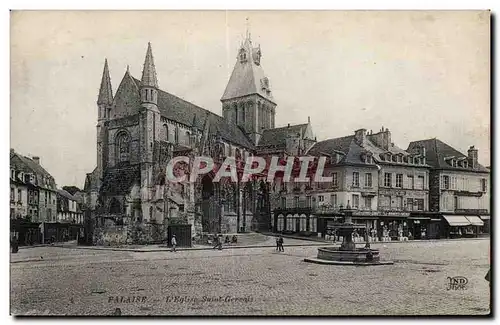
(420, 74)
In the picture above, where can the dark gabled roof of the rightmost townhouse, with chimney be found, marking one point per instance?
(436, 151)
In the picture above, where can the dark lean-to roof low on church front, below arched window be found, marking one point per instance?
(119, 180)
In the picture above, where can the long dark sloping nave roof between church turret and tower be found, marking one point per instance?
(184, 112)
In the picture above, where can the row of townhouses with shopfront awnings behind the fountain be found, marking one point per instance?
(429, 190)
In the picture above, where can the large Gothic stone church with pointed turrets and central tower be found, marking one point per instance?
(141, 127)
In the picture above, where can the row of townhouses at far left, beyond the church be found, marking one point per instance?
(35, 201)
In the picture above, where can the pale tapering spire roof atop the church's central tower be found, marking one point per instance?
(248, 77)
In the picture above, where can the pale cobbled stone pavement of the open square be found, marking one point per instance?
(257, 281)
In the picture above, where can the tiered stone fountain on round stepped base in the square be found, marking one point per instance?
(347, 253)
